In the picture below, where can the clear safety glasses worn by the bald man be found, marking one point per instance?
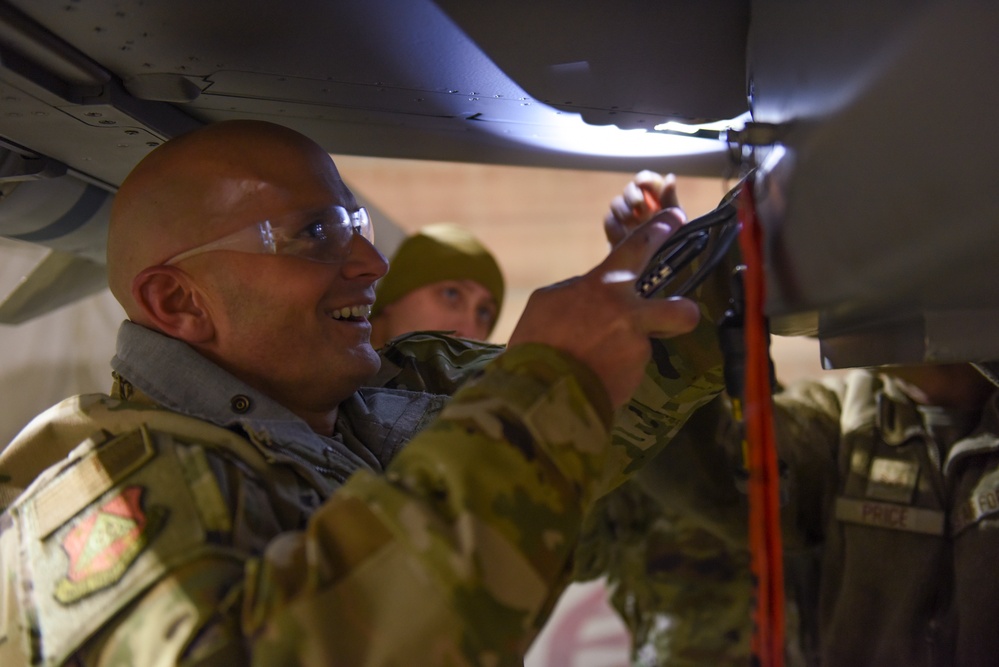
(322, 236)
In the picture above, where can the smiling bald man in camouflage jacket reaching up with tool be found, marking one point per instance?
(262, 487)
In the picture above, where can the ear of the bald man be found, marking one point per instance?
(173, 303)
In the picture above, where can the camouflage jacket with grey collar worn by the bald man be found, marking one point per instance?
(186, 519)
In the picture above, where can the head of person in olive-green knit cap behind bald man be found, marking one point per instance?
(440, 279)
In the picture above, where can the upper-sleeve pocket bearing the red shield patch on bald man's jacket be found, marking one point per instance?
(128, 517)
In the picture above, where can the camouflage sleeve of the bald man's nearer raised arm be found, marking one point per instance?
(454, 553)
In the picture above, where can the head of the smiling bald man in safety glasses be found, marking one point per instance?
(245, 311)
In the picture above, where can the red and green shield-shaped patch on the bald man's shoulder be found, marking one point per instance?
(105, 542)
